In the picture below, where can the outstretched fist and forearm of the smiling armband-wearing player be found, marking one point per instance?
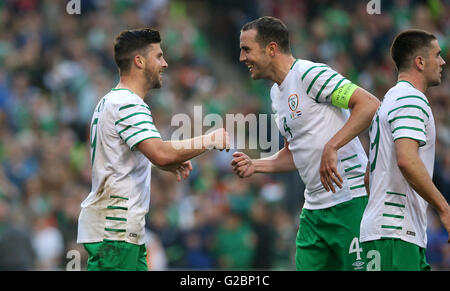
(245, 167)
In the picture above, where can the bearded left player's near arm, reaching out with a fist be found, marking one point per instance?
(168, 153)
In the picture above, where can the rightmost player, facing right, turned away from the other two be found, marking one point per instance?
(401, 158)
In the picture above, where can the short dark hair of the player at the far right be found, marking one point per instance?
(408, 45)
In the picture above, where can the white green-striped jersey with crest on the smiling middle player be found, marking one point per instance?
(308, 120)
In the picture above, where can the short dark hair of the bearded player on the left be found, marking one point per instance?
(130, 42)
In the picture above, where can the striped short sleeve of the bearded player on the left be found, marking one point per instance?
(134, 124)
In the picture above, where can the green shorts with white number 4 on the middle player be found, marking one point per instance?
(328, 239)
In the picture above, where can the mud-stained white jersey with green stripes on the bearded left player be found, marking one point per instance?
(120, 195)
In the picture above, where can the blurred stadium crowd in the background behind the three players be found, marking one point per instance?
(55, 67)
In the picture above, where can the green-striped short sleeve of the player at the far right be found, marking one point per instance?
(408, 118)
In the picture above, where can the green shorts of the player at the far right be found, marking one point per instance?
(392, 254)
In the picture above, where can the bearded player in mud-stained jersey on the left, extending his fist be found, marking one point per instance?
(124, 144)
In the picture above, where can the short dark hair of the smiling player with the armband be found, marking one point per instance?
(270, 29)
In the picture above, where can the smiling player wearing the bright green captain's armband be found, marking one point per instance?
(312, 102)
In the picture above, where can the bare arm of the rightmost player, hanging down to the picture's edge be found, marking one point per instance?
(415, 173)
